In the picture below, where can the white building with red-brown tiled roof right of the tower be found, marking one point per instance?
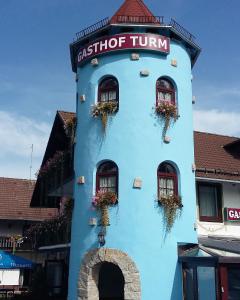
(218, 209)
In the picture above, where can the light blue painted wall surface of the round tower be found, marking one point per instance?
(133, 141)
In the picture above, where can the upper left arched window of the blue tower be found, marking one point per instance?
(108, 90)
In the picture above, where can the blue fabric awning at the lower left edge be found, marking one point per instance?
(10, 261)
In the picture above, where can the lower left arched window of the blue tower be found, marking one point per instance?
(107, 177)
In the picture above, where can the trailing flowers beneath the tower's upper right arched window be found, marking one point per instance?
(169, 112)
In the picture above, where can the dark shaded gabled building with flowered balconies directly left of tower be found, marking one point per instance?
(54, 190)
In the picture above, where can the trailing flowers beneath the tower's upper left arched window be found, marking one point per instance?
(103, 110)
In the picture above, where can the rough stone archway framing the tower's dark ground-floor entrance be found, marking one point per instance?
(89, 273)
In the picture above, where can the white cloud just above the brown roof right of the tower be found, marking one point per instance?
(216, 121)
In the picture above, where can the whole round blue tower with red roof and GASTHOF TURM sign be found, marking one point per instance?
(135, 185)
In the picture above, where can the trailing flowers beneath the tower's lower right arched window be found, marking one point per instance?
(172, 206)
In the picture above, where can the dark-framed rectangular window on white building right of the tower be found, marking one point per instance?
(209, 202)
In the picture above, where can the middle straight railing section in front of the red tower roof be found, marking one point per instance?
(139, 19)
